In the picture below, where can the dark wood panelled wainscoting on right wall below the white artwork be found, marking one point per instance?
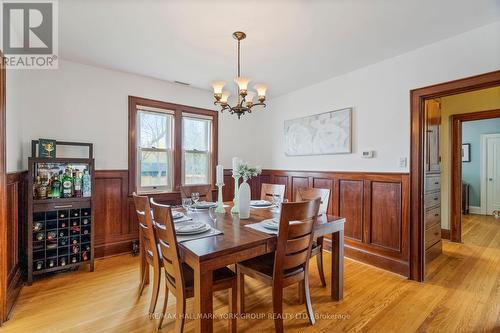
(375, 205)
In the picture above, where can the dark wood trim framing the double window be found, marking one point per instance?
(133, 103)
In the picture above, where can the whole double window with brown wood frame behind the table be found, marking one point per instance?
(170, 145)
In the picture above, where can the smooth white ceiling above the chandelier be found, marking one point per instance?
(290, 44)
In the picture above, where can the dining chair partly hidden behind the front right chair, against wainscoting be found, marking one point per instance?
(309, 193)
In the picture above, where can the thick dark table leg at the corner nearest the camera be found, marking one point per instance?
(203, 298)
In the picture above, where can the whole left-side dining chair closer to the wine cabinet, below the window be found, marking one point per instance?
(149, 248)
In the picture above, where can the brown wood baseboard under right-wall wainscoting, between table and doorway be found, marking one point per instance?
(389, 264)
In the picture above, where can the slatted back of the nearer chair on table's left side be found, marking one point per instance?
(167, 240)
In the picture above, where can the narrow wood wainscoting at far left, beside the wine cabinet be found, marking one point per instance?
(16, 220)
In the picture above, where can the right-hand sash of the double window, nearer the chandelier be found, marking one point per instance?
(196, 134)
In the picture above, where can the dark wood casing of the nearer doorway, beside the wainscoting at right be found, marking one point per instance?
(417, 162)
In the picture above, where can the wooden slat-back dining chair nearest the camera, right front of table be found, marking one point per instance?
(289, 264)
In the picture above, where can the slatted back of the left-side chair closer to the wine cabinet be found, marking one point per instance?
(146, 230)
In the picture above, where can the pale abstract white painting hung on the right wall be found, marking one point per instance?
(321, 134)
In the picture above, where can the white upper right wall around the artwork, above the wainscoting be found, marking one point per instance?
(380, 96)
